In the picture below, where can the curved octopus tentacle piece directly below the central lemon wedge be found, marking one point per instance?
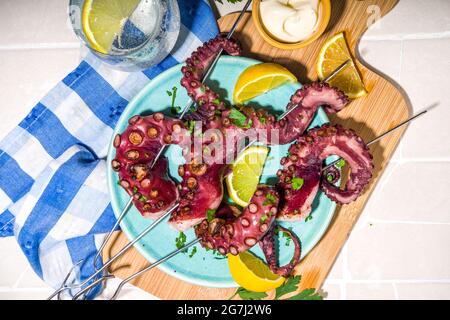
(233, 234)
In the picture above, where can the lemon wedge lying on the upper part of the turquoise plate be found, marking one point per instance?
(260, 78)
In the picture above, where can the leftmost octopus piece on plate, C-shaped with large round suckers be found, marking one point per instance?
(152, 190)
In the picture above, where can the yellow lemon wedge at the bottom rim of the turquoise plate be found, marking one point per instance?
(252, 273)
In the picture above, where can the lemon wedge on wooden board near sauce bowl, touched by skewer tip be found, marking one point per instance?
(334, 53)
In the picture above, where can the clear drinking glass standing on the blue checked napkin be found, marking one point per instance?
(146, 38)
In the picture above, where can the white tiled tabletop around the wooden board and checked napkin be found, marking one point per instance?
(399, 247)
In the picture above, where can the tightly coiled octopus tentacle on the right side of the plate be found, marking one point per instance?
(305, 162)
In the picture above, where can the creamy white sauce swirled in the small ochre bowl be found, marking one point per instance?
(289, 20)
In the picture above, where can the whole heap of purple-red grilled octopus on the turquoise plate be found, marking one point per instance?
(219, 131)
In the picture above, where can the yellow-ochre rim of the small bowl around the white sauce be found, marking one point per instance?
(324, 18)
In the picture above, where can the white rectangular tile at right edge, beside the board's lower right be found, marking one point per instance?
(399, 251)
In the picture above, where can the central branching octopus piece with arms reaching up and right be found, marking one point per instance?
(215, 114)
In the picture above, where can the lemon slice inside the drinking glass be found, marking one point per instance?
(103, 21)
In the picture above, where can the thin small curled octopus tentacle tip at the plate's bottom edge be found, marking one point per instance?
(267, 245)
